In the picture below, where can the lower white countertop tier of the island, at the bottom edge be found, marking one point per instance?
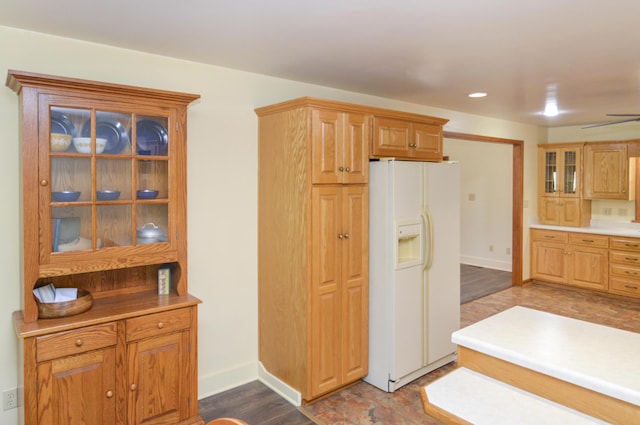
(479, 399)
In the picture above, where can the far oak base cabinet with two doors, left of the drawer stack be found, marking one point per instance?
(576, 259)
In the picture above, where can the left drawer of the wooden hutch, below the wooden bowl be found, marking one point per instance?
(74, 342)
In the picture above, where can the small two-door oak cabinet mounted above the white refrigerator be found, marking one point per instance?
(407, 136)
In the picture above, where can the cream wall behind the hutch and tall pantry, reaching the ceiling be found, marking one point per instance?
(222, 189)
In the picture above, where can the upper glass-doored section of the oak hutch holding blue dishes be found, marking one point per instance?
(104, 178)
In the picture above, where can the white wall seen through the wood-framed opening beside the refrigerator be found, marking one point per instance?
(486, 201)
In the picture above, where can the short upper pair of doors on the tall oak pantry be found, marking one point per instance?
(339, 145)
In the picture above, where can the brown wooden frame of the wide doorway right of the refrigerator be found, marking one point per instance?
(517, 195)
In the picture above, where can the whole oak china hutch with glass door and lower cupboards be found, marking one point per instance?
(103, 164)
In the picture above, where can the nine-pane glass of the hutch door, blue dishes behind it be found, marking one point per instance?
(109, 179)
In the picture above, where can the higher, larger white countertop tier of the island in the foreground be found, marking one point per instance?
(597, 357)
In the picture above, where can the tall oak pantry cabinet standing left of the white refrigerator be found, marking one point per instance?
(313, 244)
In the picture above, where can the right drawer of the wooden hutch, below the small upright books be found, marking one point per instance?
(158, 324)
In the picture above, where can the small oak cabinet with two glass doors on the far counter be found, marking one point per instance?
(559, 186)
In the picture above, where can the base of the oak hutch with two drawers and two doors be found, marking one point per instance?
(137, 370)
